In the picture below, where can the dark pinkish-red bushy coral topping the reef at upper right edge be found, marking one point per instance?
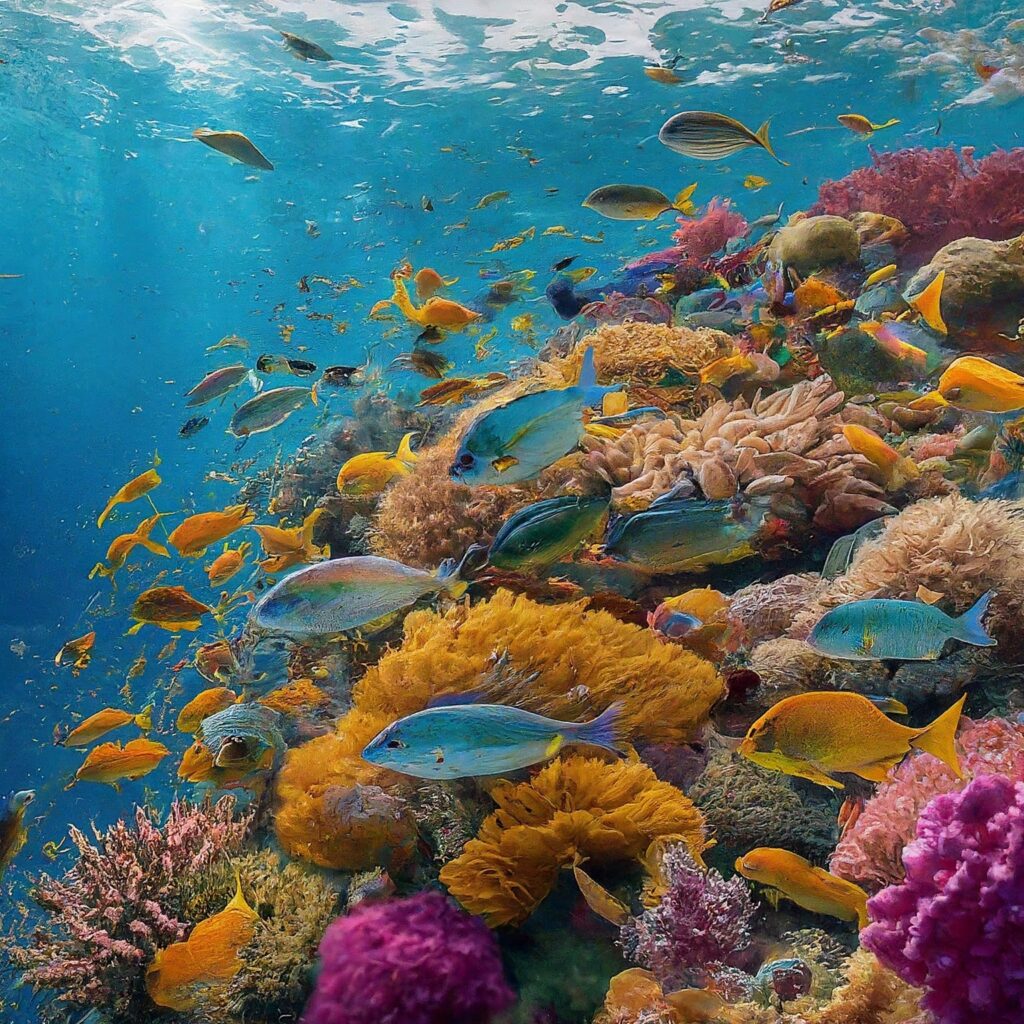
(940, 195)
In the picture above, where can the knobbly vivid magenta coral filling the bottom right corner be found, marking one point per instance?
(955, 926)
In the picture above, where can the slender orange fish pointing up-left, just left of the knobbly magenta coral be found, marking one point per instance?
(813, 888)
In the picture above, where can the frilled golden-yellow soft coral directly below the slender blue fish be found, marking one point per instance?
(575, 806)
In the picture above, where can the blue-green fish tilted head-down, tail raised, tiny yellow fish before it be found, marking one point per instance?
(516, 442)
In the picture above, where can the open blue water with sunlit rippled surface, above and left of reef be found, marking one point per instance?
(134, 248)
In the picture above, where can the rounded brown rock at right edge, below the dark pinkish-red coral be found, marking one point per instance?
(985, 286)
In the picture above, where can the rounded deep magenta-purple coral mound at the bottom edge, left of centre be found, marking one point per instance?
(415, 961)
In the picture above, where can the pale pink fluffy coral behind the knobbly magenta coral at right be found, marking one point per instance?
(871, 851)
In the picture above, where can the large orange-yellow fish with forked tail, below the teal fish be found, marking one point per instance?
(821, 735)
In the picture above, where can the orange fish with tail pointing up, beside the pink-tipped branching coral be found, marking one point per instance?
(184, 974)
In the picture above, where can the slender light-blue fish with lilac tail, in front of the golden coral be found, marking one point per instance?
(467, 741)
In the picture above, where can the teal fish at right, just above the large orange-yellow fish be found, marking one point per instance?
(904, 631)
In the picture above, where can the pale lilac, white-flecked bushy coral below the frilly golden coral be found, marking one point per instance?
(702, 923)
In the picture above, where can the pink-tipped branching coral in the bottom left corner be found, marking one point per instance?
(119, 905)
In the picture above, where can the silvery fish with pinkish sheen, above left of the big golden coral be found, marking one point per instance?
(334, 598)
